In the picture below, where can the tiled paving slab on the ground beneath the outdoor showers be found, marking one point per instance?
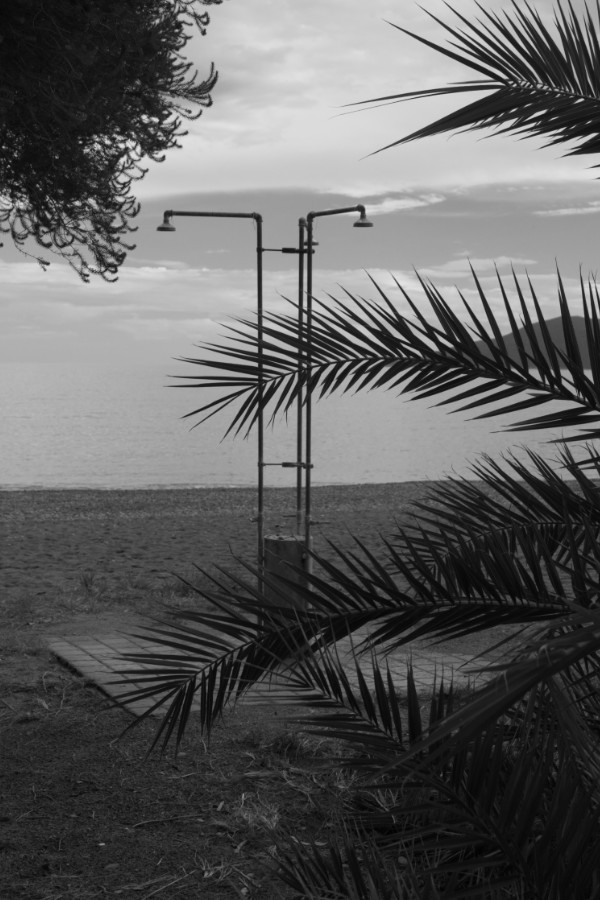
(99, 659)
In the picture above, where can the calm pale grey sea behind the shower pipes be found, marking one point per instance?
(92, 426)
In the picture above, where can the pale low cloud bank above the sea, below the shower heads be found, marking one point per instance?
(167, 310)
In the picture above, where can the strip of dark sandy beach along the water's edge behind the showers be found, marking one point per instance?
(49, 538)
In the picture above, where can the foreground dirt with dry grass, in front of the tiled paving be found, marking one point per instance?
(84, 814)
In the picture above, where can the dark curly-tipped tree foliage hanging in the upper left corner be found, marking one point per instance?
(88, 91)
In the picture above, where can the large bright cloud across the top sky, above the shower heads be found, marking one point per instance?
(287, 70)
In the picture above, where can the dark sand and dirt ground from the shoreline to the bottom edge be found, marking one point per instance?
(83, 813)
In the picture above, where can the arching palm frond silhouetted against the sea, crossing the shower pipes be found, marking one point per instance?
(364, 345)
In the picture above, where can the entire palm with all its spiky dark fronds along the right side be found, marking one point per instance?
(497, 794)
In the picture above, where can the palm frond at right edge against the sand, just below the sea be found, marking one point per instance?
(545, 526)
